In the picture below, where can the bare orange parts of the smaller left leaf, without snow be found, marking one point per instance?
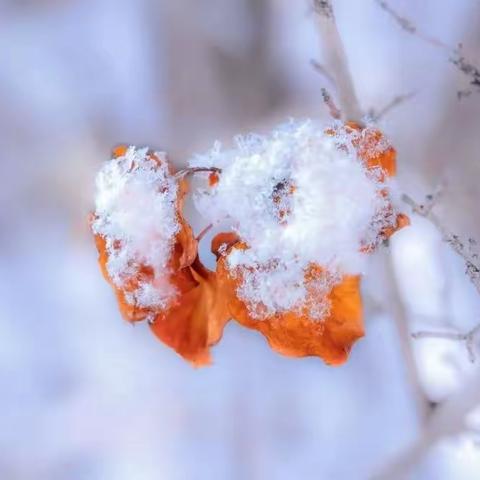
(194, 320)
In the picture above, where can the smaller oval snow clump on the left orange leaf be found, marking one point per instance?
(136, 214)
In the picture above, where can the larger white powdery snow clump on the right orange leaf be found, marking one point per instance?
(296, 197)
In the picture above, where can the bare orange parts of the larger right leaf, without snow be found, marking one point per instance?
(295, 333)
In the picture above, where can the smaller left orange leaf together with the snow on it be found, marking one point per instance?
(148, 253)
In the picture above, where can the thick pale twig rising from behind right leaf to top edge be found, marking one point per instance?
(336, 60)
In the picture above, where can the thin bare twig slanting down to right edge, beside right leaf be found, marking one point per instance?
(471, 258)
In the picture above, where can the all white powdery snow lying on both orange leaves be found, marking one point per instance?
(299, 198)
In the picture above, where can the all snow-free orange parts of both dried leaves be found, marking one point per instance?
(204, 302)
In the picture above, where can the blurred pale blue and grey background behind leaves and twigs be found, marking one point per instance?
(84, 395)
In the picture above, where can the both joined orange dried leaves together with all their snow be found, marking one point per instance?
(305, 205)
